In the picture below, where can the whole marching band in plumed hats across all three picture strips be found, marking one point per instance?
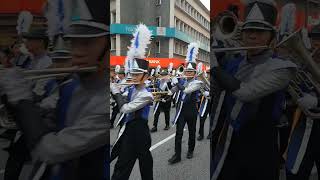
(61, 124)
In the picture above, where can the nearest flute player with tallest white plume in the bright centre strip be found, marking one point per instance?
(134, 138)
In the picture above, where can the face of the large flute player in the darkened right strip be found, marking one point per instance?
(254, 37)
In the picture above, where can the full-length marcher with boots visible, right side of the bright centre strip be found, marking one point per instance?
(187, 105)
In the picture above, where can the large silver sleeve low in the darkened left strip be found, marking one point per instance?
(88, 133)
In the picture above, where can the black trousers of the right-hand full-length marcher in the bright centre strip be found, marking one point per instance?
(191, 120)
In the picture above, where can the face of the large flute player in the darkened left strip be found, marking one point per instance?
(88, 51)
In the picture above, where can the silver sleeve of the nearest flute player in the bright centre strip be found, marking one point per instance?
(137, 103)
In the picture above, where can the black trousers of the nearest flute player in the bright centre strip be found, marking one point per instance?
(134, 144)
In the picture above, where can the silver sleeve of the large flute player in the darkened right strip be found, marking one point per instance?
(264, 84)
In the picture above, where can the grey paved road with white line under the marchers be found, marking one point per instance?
(196, 168)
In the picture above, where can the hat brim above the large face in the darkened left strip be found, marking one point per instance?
(84, 31)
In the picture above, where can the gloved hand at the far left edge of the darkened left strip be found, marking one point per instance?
(15, 86)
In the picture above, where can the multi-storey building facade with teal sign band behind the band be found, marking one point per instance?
(174, 24)
